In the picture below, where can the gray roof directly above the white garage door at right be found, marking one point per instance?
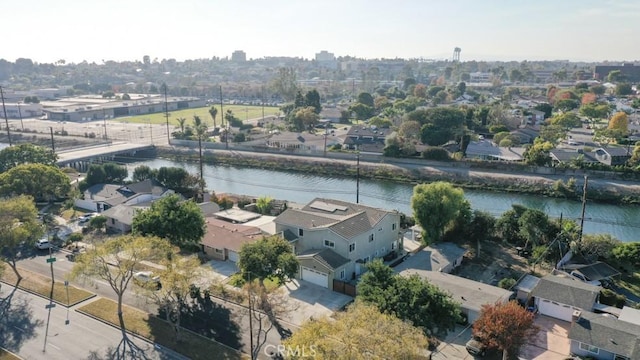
(567, 291)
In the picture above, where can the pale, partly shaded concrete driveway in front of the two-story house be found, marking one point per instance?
(305, 300)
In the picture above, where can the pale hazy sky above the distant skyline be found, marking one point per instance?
(92, 30)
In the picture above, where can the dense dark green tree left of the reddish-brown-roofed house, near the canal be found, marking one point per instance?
(180, 222)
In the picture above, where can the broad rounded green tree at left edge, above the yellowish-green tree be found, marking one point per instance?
(29, 179)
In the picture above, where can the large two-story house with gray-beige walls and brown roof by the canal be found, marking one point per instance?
(334, 239)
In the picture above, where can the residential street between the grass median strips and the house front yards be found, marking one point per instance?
(237, 316)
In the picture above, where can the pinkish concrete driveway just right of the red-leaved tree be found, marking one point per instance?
(550, 343)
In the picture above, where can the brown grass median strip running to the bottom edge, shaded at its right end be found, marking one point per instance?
(150, 327)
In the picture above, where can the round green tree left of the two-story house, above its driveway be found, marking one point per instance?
(269, 257)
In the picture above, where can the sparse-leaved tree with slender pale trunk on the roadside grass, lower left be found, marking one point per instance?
(116, 261)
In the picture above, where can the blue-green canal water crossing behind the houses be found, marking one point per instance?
(621, 221)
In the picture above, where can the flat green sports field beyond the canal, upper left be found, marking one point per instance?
(242, 112)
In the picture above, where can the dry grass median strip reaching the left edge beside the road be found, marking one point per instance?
(41, 285)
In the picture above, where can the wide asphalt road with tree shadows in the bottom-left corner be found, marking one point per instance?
(34, 331)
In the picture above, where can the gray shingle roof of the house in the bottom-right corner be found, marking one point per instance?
(608, 333)
